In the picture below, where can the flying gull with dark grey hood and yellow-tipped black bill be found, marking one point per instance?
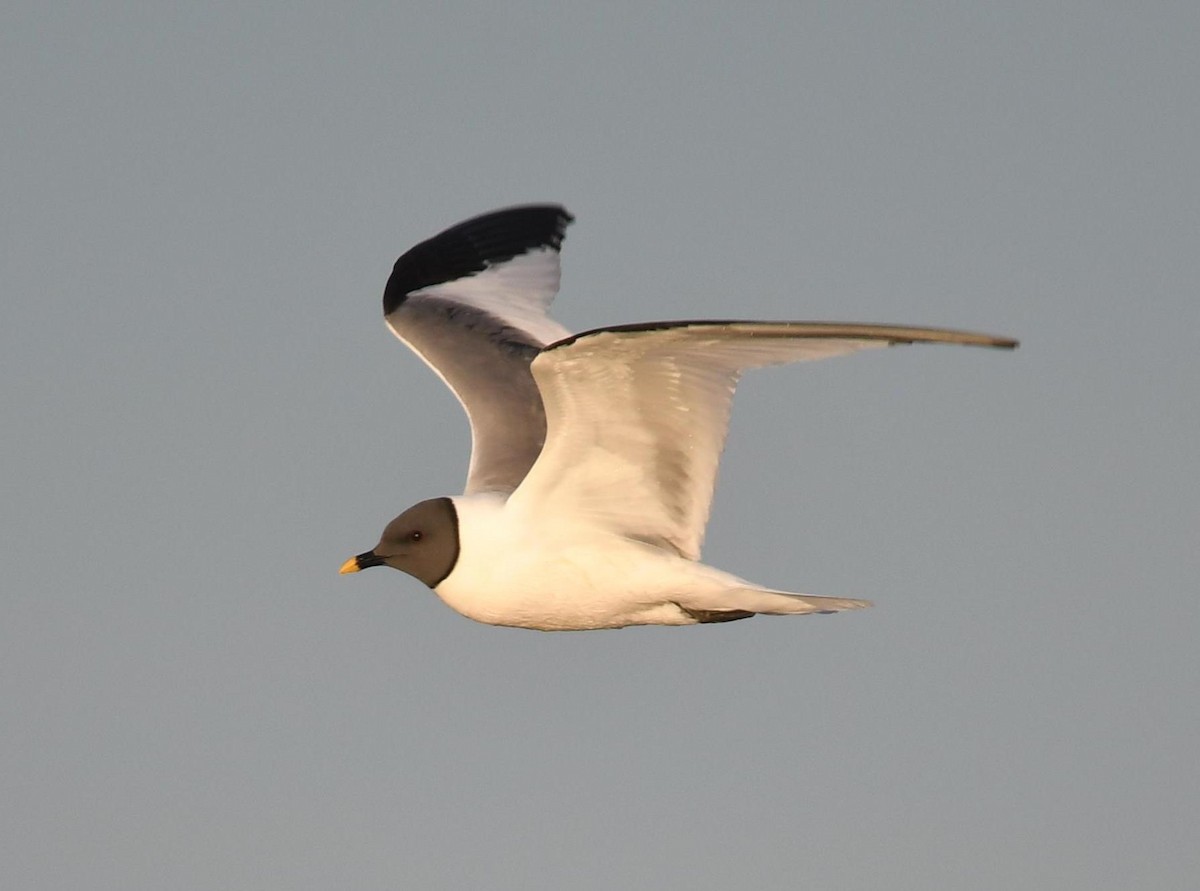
(595, 456)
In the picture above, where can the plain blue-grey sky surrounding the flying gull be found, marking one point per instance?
(203, 416)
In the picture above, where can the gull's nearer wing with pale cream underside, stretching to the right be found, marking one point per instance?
(638, 416)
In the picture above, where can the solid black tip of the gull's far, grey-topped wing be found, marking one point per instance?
(472, 246)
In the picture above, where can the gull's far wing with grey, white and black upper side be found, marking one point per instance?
(472, 303)
